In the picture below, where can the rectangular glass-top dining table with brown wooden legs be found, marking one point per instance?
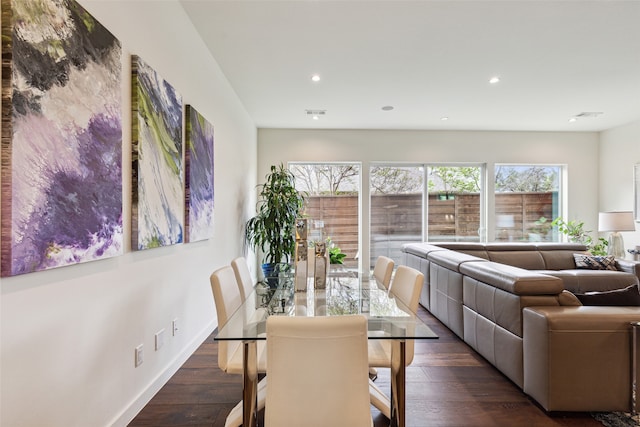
(344, 294)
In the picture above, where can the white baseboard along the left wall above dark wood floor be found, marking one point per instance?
(130, 412)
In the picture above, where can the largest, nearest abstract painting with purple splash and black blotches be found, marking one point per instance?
(61, 143)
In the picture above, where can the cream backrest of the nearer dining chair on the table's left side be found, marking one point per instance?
(226, 295)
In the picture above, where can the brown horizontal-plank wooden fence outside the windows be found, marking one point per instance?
(397, 219)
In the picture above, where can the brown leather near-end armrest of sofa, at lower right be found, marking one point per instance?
(578, 358)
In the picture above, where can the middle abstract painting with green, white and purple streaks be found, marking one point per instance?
(158, 186)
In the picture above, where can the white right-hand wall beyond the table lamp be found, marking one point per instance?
(619, 152)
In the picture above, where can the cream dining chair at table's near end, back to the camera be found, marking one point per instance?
(301, 395)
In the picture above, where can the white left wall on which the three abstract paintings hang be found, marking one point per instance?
(68, 335)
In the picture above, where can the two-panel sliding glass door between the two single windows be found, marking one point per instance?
(399, 215)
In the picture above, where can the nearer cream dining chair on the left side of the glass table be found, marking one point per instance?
(227, 299)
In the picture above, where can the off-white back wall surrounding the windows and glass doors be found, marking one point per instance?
(577, 150)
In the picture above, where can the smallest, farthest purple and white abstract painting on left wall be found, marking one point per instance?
(199, 176)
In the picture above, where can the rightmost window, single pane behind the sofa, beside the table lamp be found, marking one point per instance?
(526, 202)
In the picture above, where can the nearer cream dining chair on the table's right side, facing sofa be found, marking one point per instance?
(406, 286)
